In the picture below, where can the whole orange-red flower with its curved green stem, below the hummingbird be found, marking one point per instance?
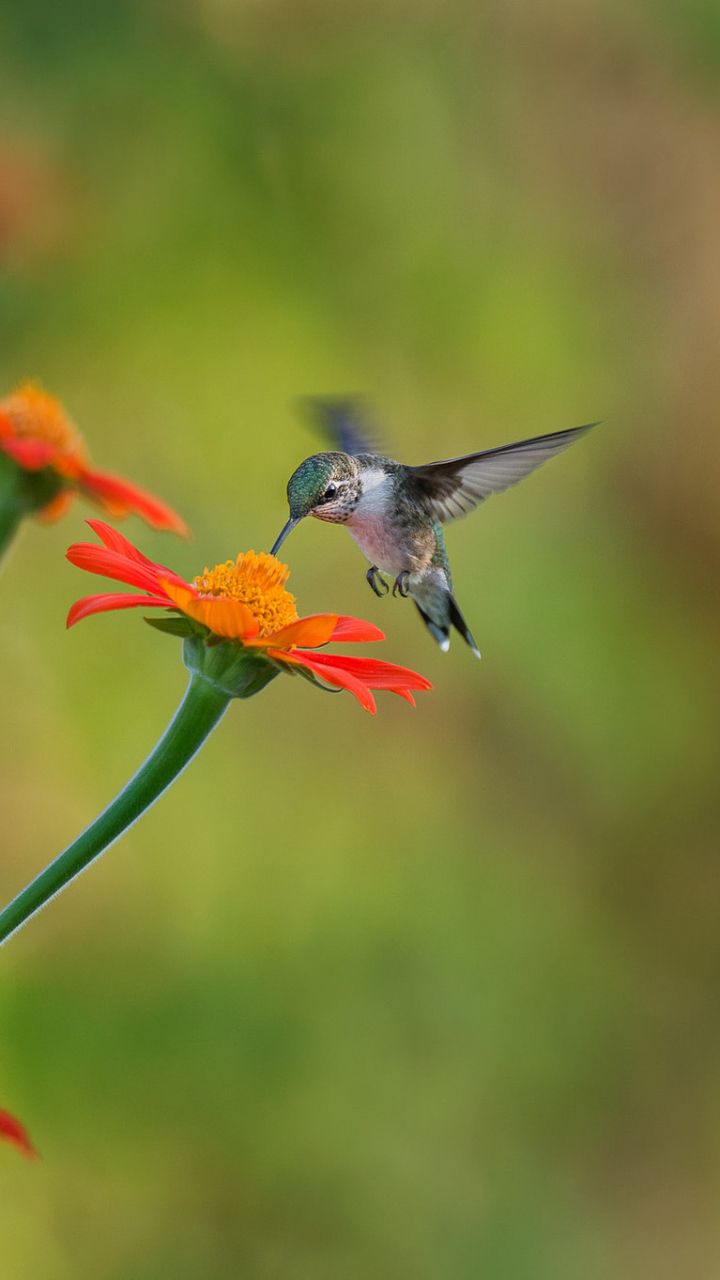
(240, 632)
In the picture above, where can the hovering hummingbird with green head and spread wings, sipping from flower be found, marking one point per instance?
(397, 513)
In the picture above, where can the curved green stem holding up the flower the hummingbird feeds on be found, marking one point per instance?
(202, 708)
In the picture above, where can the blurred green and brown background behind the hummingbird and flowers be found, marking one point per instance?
(434, 995)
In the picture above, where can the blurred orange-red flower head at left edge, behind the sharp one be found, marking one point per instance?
(39, 437)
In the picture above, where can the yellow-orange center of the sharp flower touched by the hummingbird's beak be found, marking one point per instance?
(257, 582)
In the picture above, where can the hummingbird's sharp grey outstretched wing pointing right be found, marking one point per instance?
(457, 487)
